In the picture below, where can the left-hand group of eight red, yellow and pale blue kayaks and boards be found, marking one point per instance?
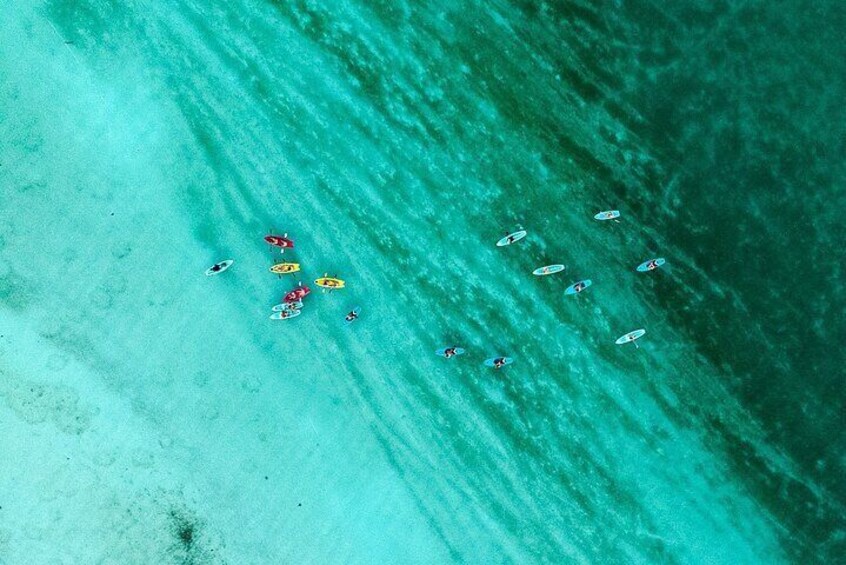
(291, 304)
